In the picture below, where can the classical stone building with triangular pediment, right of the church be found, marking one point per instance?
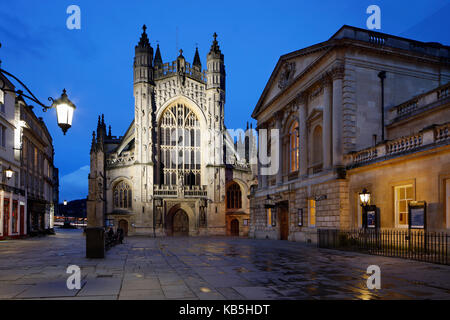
(361, 110)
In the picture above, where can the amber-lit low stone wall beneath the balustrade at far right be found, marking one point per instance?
(425, 171)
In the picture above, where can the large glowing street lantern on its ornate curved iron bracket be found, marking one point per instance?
(64, 107)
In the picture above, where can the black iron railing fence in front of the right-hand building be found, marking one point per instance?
(419, 245)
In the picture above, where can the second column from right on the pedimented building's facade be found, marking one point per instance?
(326, 127)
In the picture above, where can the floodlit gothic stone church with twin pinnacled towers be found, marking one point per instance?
(176, 170)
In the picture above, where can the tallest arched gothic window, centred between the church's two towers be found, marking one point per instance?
(179, 146)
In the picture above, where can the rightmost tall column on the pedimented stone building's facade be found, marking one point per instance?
(338, 75)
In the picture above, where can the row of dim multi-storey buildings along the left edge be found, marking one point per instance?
(27, 198)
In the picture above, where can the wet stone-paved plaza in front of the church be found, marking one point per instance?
(208, 268)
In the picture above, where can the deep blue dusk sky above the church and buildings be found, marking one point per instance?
(94, 64)
